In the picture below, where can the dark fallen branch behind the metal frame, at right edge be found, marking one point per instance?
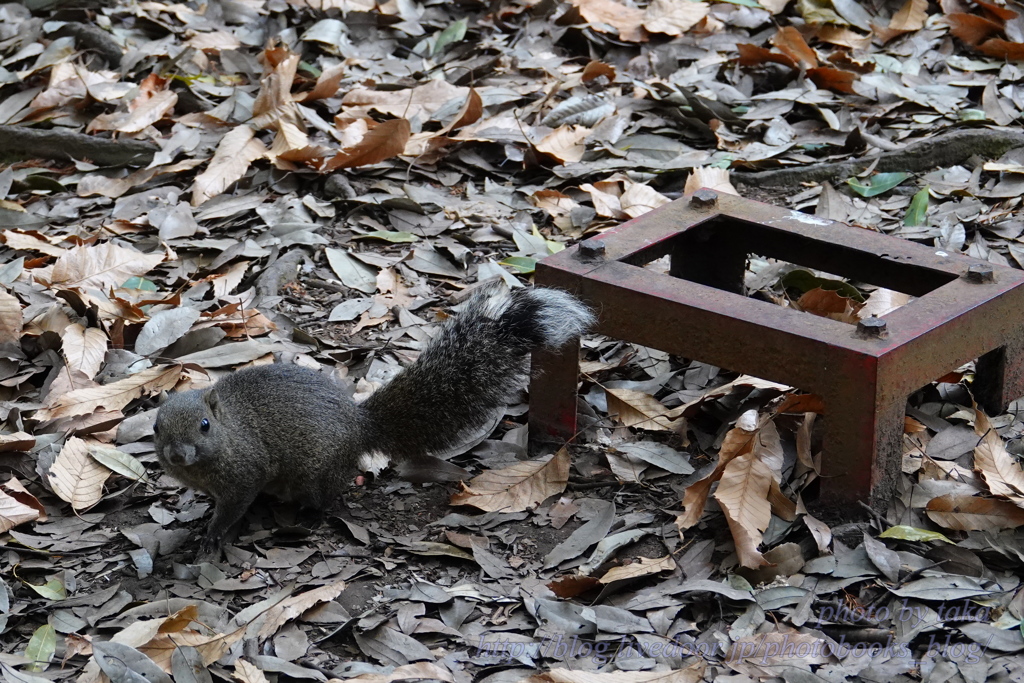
(940, 152)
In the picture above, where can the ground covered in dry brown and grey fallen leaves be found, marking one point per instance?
(193, 188)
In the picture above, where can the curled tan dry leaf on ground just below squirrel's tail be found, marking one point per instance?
(519, 488)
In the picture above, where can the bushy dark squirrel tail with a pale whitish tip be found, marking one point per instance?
(473, 368)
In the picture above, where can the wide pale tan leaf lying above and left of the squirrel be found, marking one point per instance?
(100, 267)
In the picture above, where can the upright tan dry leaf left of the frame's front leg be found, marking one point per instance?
(743, 493)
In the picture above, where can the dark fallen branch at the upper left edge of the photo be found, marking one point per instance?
(24, 143)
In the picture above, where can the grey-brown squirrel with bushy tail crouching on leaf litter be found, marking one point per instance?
(292, 433)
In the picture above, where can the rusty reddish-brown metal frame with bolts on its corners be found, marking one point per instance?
(966, 310)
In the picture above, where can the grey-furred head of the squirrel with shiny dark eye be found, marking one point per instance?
(188, 432)
